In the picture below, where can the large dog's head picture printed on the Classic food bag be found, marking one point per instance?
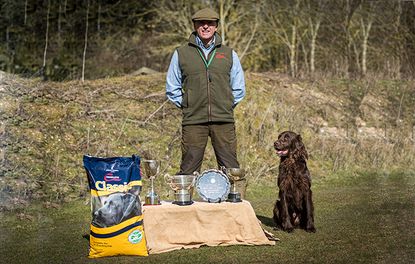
(116, 208)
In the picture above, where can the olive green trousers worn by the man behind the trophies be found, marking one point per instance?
(194, 141)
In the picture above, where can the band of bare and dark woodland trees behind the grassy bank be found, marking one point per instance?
(345, 37)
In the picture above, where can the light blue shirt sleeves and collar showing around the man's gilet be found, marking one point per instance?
(174, 76)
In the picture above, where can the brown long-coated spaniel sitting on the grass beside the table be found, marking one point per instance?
(294, 207)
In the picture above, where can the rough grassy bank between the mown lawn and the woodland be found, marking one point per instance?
(46, 127)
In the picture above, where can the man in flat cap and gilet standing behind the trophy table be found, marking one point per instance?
(205, 79)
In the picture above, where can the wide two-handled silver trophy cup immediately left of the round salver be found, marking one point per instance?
(182, 185)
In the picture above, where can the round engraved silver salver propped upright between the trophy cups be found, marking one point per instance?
(213, 186)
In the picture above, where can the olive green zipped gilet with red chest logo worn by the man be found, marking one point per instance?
(207, 94)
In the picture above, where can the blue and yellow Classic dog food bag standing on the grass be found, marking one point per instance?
(117, 221)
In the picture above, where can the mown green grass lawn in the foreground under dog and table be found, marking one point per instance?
(360, 218)
